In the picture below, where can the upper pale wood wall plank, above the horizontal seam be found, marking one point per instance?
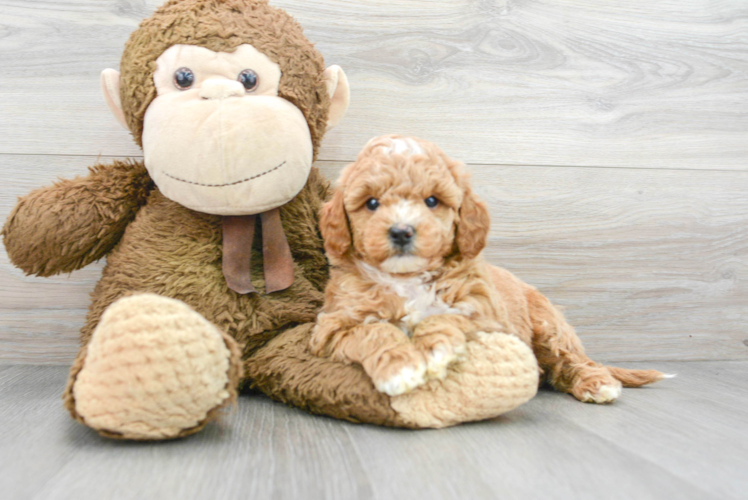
(538, 82)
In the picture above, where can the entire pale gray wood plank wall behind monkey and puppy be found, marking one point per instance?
(609, 138)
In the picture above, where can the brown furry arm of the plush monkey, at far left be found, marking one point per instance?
(72, 223)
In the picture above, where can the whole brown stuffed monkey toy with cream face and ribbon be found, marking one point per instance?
(229, 102)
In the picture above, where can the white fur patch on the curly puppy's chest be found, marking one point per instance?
(421, 299)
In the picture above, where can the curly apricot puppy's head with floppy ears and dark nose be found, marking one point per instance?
(403, 207)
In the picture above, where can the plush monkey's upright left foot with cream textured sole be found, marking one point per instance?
(153, 369)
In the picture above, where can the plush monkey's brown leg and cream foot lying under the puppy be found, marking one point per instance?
(496, 373)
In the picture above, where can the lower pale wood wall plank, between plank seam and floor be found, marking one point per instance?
(649, 264)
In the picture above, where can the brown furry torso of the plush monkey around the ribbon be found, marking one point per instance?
(175, 252)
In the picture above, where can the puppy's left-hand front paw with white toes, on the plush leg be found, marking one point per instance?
(397, 371)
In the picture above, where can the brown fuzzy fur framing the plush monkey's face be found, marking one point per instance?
(223, 25)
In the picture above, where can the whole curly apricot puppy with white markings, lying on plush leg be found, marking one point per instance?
(404, 232)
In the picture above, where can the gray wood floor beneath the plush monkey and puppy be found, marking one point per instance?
(684, 438)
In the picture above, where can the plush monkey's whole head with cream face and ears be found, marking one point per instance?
(229, 101)
